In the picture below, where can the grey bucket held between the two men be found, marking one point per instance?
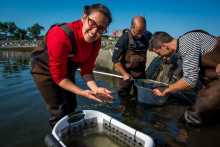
(144, 87)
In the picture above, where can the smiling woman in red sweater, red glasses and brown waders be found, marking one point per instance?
(53, 67)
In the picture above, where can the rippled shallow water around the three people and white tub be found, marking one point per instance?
(24, 117)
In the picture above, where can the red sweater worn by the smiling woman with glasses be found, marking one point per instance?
(59, 46)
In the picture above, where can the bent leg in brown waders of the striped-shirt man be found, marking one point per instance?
(206, 108)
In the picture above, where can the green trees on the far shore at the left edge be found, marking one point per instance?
(18, 33)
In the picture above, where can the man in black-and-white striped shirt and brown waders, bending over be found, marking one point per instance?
(200, 54)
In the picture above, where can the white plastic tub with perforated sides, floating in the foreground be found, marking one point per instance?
(119, 132)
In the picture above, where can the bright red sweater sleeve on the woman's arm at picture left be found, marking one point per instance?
(58, 50)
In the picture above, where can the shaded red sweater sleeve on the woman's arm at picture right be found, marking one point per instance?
(88, 65)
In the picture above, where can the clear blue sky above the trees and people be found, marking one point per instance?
(172, 16)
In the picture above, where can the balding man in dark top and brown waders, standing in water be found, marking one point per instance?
(130, 55)
